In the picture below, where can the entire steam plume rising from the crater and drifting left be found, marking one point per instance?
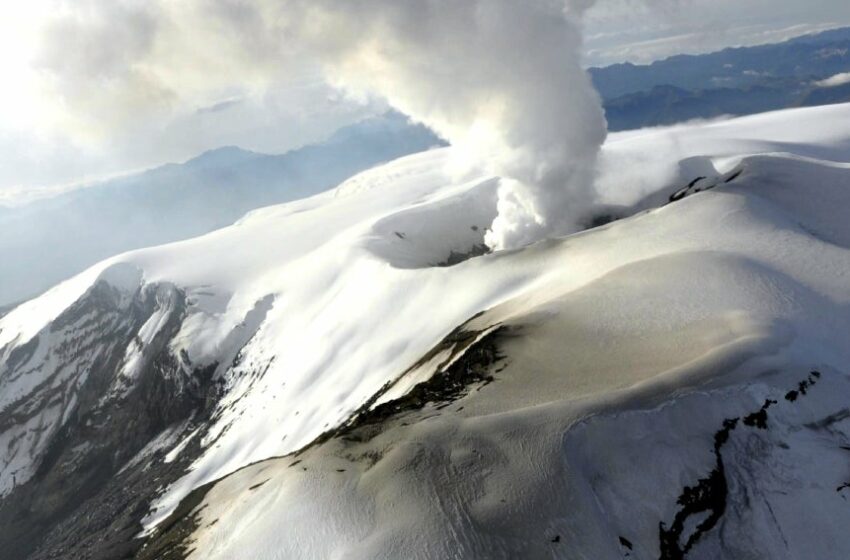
(500, 79)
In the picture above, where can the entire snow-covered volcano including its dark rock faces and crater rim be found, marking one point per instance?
(565, 400)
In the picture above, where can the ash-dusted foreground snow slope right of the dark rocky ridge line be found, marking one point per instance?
(614, 388)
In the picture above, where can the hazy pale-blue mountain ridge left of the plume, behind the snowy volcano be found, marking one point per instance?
(51, 239)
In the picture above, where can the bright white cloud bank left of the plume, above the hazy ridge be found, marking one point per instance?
(98, 87)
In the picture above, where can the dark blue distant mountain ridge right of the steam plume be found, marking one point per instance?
(735, 81)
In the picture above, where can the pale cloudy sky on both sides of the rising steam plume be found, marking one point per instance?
(94, 88)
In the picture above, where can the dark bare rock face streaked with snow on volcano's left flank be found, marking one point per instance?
(83, 424)
